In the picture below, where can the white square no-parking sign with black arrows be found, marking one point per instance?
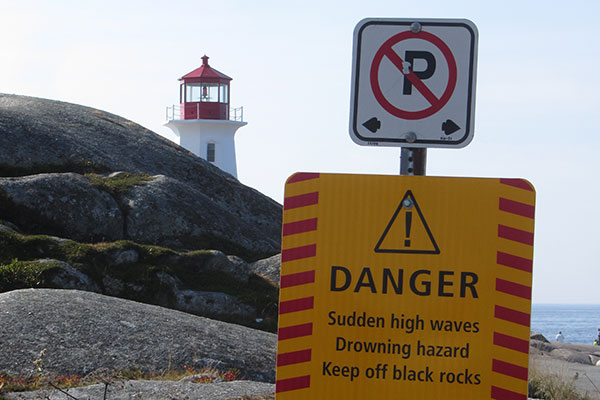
(413, 82)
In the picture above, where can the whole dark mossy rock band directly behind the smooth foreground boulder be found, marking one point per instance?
(206, 283)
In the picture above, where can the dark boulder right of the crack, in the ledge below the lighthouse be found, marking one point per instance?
(168, 212)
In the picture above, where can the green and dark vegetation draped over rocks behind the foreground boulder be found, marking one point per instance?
(141, 277)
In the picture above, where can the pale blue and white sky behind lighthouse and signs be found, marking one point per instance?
(291, 61)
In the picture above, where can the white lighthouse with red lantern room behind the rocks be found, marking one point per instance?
(203, 122)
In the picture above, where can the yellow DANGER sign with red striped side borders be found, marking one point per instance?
(405, 285)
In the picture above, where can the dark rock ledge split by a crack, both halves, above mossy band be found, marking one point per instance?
(155, 210)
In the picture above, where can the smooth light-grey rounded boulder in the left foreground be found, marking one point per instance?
(82, 332)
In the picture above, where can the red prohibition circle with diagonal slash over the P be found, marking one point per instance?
(436, 103)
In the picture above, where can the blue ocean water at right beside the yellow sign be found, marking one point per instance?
(579, 323)
